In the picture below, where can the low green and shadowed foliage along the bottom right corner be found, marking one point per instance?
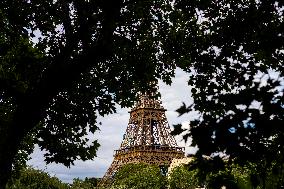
(217, 172)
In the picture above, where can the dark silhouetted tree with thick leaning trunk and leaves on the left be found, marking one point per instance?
(63, 63)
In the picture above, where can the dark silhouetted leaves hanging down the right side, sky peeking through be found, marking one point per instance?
(233, 52)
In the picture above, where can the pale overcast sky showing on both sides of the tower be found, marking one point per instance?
(112, 130)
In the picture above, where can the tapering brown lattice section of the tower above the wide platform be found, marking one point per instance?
(148, 125)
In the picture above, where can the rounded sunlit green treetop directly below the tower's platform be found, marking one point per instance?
(139, 176)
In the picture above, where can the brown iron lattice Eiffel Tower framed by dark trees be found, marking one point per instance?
(147, 139)
